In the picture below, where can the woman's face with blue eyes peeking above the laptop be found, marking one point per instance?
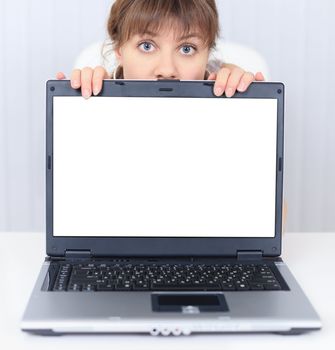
(163, 55)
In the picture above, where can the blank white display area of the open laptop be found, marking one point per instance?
(164, 167)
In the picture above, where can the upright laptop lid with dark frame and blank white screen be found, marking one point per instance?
(164, 168)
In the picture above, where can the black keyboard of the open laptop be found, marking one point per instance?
(165, 277)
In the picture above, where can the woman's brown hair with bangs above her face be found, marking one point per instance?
(130, 17)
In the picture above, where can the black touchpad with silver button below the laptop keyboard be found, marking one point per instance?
(188, 302)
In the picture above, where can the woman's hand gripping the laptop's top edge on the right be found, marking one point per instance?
(231, 78)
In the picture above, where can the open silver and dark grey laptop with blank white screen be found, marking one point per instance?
(164, 213)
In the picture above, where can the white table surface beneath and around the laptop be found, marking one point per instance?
(308, 255)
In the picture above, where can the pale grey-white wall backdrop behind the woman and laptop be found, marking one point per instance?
(39, 38)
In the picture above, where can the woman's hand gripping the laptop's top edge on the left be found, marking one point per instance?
(88, 79)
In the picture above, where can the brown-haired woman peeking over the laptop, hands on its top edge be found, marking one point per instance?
(164, 39)
